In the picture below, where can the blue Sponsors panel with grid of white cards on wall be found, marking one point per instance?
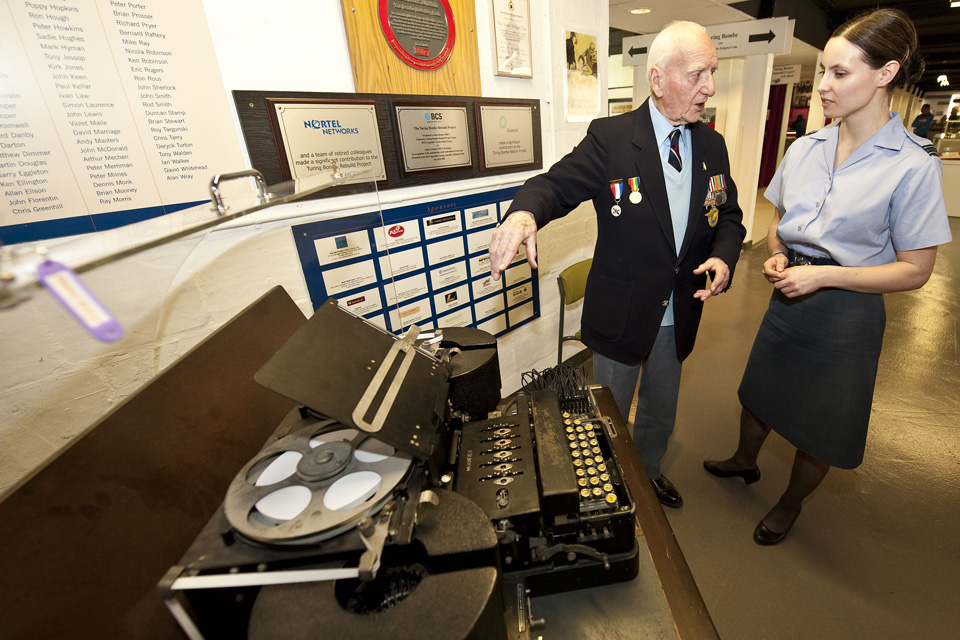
(420, 264)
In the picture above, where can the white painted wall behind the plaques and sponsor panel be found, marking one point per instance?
(57, 382)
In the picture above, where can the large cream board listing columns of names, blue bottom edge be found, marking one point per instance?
(108, 108)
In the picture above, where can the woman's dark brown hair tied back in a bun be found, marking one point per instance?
(884, 35)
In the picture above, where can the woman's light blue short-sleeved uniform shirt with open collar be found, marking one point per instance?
(887, 196)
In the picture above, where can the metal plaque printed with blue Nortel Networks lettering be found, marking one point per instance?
(317, 137)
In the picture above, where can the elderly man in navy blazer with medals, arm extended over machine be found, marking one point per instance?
(667, 215)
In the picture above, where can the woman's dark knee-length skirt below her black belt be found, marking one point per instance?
(812, 370)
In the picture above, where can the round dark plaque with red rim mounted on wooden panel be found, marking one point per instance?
(421, 32)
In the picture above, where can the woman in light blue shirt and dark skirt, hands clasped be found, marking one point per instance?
(860, 213)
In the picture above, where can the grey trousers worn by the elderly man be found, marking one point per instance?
(656, 398)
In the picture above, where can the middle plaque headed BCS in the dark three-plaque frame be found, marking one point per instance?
(433, 137)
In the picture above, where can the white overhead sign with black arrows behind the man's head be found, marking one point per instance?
(755, 37)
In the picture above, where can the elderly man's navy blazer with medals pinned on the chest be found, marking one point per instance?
(636, 265)
